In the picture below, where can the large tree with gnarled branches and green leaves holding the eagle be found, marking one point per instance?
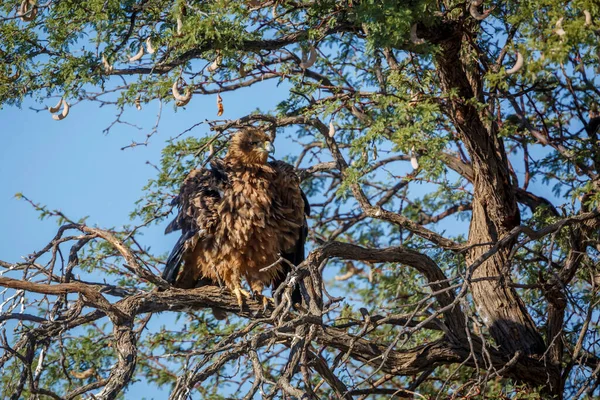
(490, 104)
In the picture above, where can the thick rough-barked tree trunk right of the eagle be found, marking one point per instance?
(495, 210)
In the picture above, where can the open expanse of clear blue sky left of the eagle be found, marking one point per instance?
(73, 166)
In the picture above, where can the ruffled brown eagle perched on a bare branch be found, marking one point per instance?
(242, 219)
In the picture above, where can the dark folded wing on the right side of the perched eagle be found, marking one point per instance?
(292, 200)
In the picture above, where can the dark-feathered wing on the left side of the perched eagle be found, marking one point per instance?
(197, 201)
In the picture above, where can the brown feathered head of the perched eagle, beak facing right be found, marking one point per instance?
(250, 147)
